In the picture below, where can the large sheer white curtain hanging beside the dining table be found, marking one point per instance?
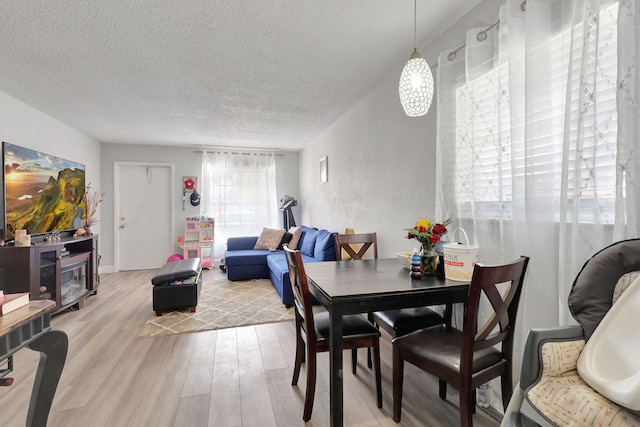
(537, 141)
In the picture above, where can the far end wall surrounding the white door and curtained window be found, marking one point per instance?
(187, 162)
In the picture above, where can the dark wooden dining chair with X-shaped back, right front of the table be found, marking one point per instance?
(467, 358)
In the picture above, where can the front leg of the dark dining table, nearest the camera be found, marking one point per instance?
(335, 388)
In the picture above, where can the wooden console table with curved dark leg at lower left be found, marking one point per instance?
(30, 326)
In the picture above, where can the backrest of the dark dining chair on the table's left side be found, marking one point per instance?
(301, 295)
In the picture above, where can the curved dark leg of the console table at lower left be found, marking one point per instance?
(52, 346)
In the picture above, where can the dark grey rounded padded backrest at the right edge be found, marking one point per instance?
(591, 294)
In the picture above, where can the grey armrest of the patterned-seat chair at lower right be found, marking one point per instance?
(531, 363)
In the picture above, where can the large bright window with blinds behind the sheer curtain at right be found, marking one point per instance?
(567, 145)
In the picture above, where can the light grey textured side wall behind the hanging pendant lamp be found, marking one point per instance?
(381, 162)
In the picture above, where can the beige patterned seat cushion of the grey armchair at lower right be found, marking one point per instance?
(564, 399)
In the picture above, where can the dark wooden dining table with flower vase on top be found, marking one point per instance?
(364, 286)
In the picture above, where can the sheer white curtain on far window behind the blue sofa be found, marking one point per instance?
(238, 190)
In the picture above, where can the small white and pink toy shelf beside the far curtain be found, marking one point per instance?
(197, 241)
